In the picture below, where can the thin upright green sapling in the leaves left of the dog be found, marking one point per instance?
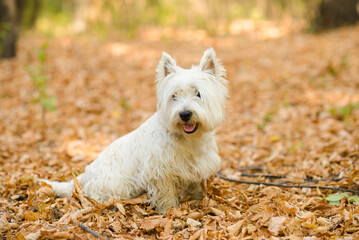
(39, 77)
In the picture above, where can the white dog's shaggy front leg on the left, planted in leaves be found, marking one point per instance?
(163, 195)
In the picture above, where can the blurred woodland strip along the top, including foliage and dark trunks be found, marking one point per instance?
(127, 20)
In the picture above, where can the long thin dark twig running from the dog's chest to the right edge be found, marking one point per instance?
(286, 186)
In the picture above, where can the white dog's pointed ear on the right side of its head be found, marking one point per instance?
(210, 63)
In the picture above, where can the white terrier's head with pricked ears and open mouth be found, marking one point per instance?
(191, 101)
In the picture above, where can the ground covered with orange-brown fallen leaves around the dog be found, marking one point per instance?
(292, 118)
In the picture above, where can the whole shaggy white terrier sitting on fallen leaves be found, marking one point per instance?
(174, 150)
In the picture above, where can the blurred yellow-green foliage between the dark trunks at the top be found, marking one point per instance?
(56, 17)
